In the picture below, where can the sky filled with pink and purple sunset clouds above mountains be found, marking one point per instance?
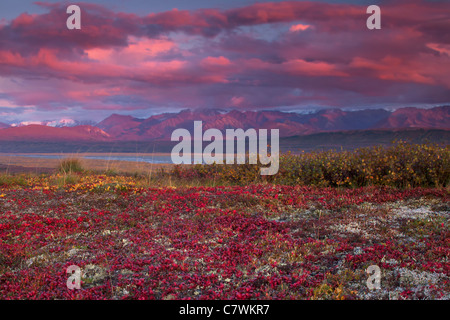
(143, 57)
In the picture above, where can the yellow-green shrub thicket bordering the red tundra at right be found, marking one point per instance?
(400, 165)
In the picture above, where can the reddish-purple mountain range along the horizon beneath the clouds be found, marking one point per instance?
(160, 127)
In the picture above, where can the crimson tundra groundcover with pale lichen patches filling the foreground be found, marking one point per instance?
(253, 242)
